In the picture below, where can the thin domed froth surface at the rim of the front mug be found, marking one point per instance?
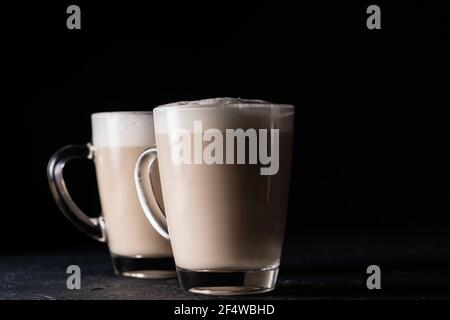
(221, 102)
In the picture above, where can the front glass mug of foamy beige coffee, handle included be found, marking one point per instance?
(224, 211)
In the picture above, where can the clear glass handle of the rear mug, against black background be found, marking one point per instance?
(93, 227)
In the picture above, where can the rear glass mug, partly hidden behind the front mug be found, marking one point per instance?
(118, 139)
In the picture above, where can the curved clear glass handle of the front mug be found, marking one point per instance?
(149, 204)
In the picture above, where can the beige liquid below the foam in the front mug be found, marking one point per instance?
(225, 217)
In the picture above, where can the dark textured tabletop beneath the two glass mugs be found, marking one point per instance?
(313, 267)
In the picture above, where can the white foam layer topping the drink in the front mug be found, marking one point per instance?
(224, 113)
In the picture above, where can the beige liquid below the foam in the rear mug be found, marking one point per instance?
(128, 231)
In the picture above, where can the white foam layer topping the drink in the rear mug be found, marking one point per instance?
(122, 129)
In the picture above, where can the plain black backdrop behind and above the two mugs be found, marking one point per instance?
(371, 157)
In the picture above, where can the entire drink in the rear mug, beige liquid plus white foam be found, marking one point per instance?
(129, 233)
